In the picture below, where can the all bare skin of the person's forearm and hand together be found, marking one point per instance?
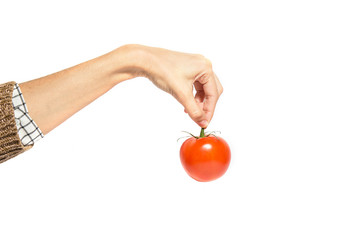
(54, 98)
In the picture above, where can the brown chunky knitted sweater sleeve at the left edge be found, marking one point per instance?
(10, 143)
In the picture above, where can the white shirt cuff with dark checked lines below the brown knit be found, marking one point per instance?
(28, 131)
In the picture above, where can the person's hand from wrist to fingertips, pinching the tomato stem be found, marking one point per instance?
(177, 73)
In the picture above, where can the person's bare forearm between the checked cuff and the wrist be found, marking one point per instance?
(53, 99)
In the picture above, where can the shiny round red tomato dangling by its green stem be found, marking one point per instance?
(205, 158)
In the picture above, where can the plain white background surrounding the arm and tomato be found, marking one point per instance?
(112, 171)
